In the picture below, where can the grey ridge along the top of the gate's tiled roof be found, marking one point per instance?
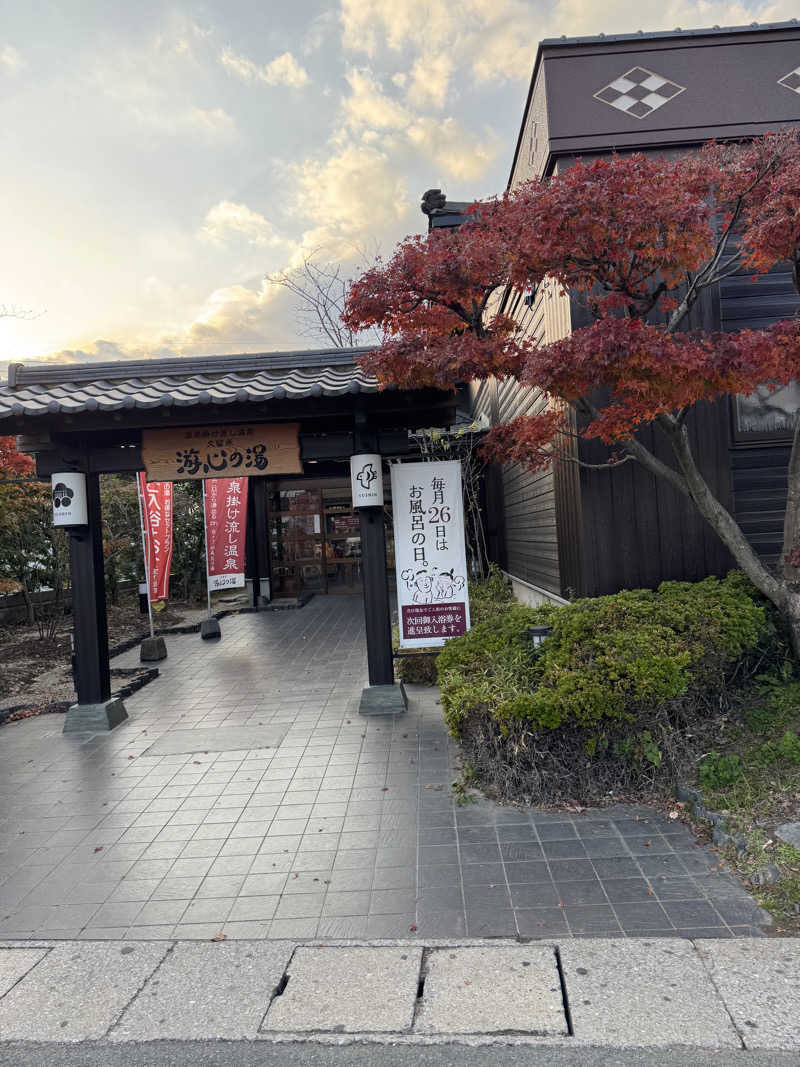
(22, 375)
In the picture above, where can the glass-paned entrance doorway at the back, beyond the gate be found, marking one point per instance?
(315, 538)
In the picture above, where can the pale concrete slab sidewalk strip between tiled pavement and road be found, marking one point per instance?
(721, 995)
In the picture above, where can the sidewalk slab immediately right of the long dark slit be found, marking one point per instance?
(644, 993)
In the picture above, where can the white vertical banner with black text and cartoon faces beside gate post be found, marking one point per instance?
(430, 554)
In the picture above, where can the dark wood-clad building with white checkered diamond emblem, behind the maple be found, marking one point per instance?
(575, 532)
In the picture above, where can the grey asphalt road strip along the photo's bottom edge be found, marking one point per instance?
(307, 1055)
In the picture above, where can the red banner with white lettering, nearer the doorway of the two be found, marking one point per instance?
(227, 524)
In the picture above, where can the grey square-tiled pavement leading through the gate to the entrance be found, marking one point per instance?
(347, 831)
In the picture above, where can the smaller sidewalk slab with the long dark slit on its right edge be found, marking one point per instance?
(492, 992)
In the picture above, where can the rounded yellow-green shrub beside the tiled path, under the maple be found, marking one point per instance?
(610, 698)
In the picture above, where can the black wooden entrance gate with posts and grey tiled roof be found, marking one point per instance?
(90, 420)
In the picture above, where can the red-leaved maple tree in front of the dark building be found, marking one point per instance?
(638, 241)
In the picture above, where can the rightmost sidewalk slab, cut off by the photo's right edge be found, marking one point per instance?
(760, 983)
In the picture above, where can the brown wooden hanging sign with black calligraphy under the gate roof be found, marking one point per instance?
(221, 452)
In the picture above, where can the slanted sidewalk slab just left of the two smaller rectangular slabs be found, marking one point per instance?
(219, 991)
